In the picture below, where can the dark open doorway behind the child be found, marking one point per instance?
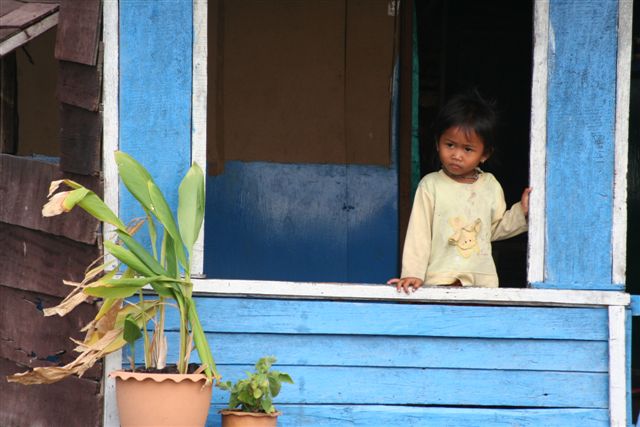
(487, 45)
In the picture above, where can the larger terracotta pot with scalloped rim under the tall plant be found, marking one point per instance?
(162, 399)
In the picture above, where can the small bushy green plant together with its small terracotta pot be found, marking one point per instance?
(251, 399)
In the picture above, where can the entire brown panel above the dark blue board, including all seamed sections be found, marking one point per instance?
(300, 82)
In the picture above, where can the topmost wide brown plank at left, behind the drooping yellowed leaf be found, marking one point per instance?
(24, 184)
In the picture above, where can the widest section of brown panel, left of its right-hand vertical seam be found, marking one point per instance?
(284, 81)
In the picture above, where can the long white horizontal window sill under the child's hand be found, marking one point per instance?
(437, 294)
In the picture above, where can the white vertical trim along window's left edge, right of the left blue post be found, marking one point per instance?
(199, 112)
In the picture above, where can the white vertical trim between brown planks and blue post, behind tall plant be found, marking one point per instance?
(110, 171)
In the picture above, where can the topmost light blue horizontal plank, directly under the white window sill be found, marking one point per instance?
(331, 317)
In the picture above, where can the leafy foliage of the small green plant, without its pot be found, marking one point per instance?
(256, 392)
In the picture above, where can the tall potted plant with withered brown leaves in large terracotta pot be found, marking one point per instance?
(136, 286)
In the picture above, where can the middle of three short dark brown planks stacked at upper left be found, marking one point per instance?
(80, 85)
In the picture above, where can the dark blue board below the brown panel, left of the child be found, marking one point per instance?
(329, 223)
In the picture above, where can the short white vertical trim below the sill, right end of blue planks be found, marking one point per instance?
(617, 367)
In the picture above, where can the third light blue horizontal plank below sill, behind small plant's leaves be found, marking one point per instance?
(409, 386)
